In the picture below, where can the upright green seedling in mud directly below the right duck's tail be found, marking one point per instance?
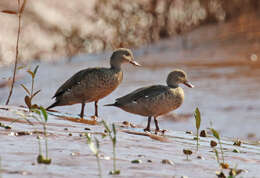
(112, 136)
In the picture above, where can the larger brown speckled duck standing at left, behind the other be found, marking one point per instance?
(92, 84)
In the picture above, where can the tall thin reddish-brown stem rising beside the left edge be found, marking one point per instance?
(16, 52)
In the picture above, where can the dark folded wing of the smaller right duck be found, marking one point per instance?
(145, 92)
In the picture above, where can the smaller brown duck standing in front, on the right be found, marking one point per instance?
(155, 100)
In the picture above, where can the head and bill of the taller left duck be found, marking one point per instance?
(122, 55)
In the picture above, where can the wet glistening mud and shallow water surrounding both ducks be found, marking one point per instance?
(227, 80)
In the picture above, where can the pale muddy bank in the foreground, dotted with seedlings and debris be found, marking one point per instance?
(71, 156)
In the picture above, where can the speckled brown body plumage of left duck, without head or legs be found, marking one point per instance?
(89, 85)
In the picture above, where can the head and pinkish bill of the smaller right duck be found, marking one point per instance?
(177, 77)
